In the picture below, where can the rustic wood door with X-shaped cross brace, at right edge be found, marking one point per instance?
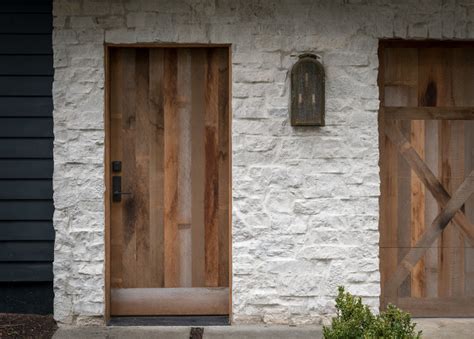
(427, 179)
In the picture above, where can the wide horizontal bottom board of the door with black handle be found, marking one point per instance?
(170, 301)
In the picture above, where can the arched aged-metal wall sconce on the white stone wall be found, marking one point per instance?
(307, 92)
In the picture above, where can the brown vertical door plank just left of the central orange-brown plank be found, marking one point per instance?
(156, 165)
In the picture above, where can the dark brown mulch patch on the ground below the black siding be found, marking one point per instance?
(26, 326)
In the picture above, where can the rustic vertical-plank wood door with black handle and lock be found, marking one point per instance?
(170, 181)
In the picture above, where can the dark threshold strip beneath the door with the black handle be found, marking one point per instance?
(195, 320)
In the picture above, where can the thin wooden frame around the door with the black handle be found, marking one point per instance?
(107, 159)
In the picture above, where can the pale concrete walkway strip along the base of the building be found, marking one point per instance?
(432, 328)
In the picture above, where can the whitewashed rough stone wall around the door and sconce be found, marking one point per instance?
(305, 200)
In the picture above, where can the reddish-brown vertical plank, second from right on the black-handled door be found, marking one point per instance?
(211, 188)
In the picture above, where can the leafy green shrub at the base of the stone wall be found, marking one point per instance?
(355, 320)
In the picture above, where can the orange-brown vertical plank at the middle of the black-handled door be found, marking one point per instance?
(171, 152)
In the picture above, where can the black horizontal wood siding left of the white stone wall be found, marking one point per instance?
(26, 157)
